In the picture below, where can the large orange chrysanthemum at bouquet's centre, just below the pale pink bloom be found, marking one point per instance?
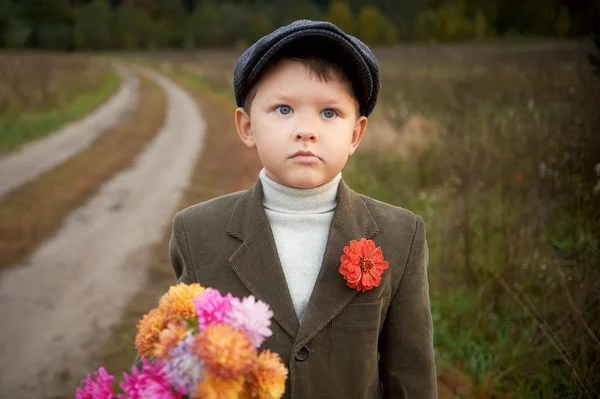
(225, 351)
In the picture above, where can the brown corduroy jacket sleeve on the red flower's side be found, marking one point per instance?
(407, 363)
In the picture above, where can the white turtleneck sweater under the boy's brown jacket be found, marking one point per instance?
(300, 219)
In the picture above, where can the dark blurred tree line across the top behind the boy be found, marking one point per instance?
(147, 24)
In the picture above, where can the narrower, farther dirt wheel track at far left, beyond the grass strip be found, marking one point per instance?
(41, 155)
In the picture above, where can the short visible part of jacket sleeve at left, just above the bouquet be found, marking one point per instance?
(179, 252)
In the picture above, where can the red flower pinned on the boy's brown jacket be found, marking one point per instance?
(362, 265)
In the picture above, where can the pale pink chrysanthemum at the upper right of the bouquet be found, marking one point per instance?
(251, 317)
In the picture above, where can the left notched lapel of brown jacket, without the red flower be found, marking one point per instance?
(256, 261)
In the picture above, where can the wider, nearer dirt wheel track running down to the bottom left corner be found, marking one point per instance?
(63, 301)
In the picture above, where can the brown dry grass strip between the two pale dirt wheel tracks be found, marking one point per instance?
(33, 211)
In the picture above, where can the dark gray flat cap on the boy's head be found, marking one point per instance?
(317, 38)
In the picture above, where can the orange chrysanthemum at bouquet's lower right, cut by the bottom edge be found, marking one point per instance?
(267, 378)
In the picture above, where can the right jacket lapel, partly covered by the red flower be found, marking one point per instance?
(351, 221)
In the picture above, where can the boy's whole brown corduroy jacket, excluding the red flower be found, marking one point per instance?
(227, 243)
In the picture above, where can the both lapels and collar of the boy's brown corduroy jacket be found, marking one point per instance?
(257, 264)
